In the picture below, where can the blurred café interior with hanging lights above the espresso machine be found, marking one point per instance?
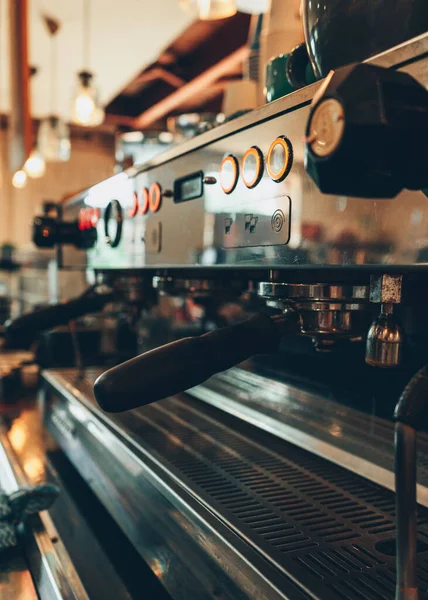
(91, 86)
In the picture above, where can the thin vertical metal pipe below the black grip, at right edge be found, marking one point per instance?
(405, 486)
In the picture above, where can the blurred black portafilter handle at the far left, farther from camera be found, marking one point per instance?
(22, 331)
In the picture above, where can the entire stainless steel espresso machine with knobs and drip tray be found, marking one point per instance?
(295, 239)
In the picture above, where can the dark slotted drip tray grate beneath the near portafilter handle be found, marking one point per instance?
(328, 529)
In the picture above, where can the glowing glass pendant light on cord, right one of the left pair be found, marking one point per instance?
(86, 108)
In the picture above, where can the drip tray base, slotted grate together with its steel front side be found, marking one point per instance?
(303, 514)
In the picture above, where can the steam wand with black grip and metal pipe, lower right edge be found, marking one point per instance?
(411, 414)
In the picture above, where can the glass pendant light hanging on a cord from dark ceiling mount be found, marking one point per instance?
(53, 139)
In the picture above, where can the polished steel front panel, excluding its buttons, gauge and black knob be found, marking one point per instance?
(259, 227)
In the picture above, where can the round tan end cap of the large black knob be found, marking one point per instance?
(326, 127)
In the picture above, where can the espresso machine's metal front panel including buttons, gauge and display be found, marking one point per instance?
(240, 196)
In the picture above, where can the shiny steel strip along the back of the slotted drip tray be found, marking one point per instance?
(357, 441)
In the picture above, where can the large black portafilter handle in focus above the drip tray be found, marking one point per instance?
(183, 364)
